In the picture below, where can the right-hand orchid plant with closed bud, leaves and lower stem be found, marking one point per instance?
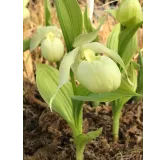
(123, 39)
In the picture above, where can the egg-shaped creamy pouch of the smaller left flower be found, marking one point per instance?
(52, 48)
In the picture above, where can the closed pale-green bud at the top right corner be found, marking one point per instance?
(129, 13)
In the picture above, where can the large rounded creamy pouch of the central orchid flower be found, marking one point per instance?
(98, 74)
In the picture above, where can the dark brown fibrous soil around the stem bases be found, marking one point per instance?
(46, 136)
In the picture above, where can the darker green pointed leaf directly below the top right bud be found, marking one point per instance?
(125, 37)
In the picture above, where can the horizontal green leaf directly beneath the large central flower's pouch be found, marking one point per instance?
(123, 91)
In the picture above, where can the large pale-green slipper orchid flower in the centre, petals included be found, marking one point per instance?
(97, 73)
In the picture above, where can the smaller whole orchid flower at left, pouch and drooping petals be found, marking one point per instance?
(52, 47)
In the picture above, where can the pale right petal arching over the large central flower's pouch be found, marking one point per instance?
(99, 48)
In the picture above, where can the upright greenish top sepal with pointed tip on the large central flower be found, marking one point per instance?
(87, 37)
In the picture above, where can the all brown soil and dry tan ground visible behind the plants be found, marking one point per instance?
(46, 136)
